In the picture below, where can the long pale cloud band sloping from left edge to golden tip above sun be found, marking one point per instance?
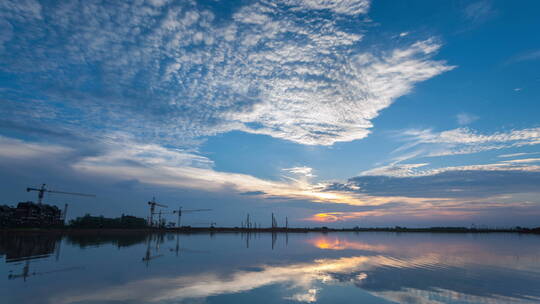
(122, 159)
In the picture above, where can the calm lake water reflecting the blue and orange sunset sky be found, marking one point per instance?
(266, 268)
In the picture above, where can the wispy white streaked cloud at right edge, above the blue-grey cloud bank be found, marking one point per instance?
(427, 143)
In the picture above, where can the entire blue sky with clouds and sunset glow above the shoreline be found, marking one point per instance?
(335, 113)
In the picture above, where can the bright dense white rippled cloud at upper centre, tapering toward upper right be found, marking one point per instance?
(341, 109)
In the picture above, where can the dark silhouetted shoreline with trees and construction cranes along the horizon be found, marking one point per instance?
(38, 215)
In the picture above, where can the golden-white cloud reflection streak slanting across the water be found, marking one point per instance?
(296, 276)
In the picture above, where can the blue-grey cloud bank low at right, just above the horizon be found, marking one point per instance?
(498, 193)
